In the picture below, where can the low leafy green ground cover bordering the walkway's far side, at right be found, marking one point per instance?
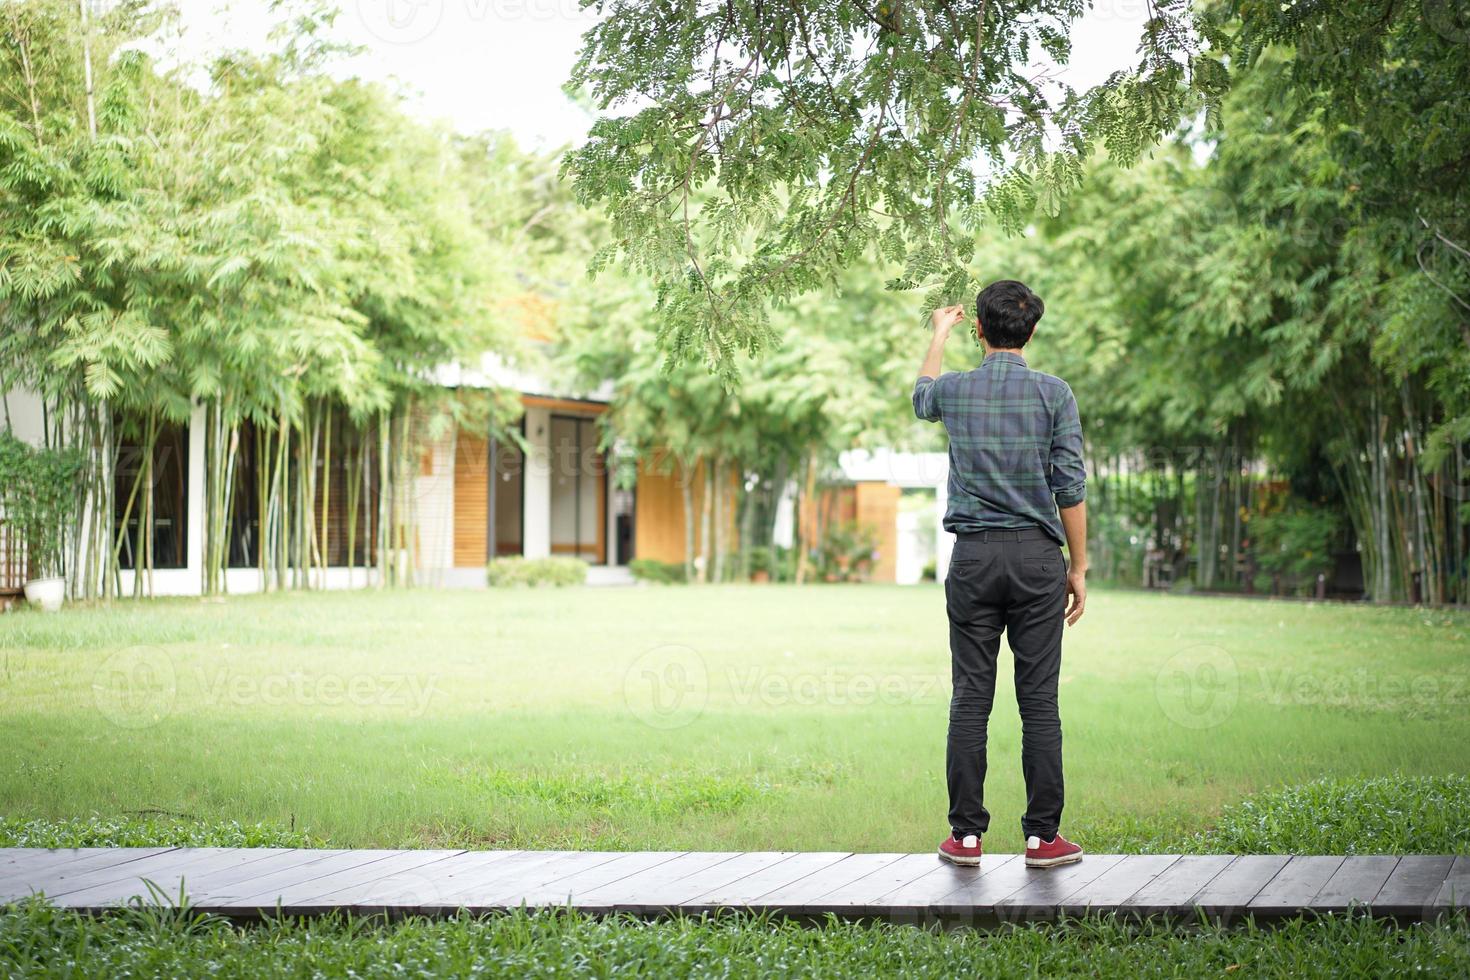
(1390, 815)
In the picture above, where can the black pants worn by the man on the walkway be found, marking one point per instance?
(1012, 581)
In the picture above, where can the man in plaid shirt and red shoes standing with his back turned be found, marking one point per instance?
(1017, 491)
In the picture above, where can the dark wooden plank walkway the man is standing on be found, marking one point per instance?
(915, 888)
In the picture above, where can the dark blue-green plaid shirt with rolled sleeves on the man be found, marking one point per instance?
(1015, 444)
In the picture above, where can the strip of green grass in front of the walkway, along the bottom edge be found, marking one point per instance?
(40, 941)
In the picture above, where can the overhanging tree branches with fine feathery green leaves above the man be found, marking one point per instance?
(752, 149)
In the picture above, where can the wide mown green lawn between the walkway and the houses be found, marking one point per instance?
(733, 718)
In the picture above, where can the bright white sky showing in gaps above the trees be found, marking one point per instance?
(501, 64)
